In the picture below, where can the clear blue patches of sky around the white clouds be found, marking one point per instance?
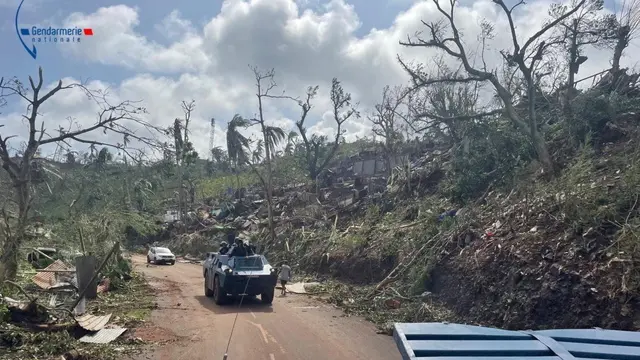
(16, 61)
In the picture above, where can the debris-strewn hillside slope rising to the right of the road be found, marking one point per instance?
(532, 253)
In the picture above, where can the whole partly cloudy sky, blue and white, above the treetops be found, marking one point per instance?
(161, 53)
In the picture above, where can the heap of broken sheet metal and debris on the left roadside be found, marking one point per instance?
(60, 298)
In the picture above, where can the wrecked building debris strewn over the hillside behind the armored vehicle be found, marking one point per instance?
(351, 187)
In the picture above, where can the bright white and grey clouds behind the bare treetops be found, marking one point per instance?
(306, 47)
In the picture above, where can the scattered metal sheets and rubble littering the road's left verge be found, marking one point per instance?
(52, 303)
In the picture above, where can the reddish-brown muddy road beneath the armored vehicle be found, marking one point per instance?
(190, 326)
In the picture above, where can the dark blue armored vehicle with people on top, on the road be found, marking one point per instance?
(234, 276)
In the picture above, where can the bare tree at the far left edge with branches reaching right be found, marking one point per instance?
(111, 119)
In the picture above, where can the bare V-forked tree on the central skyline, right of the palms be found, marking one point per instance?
(318, 153)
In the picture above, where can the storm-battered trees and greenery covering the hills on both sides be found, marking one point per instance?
(544, 179)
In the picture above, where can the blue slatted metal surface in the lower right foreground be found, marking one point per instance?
(459, 342)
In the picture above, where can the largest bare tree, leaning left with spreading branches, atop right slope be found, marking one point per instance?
(445, 36)
